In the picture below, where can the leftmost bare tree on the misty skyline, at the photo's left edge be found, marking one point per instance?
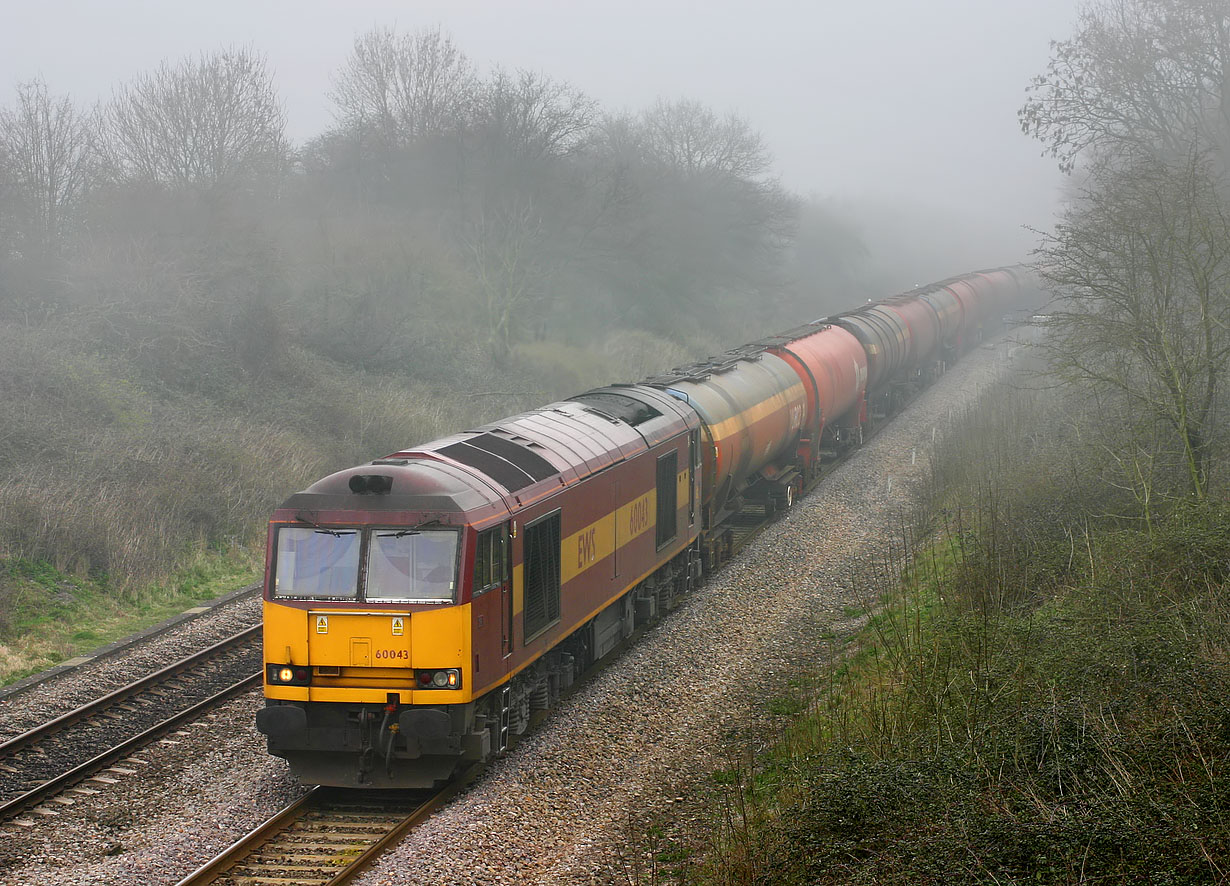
(47, 147)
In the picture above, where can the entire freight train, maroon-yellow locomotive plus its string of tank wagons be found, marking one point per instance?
(421, 609)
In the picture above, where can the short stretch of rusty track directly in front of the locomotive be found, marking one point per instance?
(325, 837)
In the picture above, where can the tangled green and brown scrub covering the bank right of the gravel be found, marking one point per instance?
(1039, 698)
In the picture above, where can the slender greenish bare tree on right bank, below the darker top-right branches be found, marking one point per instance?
(1143, 266)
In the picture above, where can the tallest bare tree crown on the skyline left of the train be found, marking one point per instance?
(404, 87)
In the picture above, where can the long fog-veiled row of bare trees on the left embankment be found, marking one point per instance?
(443, 221)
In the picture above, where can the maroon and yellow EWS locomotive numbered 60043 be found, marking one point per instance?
(420, 609)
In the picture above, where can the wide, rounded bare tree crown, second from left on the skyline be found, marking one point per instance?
(210, 122)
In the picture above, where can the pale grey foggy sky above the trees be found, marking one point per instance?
(884, 103)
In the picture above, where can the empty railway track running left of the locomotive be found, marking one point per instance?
(40, 764)
